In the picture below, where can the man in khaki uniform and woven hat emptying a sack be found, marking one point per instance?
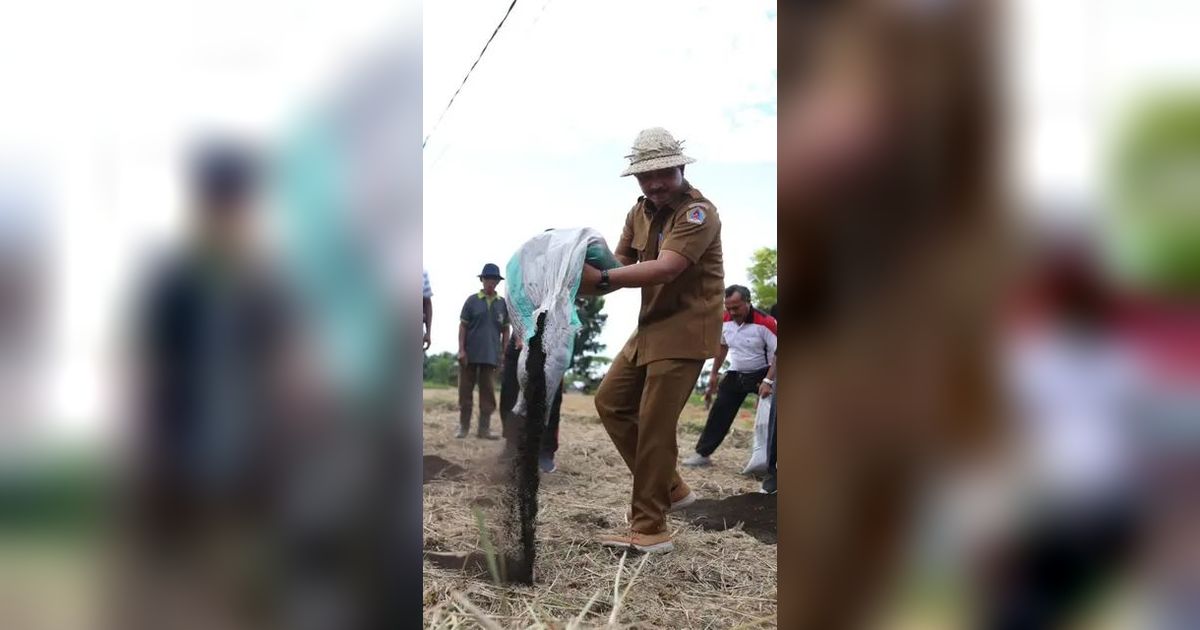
(671, 249)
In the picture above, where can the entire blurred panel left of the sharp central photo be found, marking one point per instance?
(184, 190)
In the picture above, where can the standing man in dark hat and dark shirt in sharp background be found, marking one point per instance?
(483, 337)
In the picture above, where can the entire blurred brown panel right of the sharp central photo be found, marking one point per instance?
(992, 280)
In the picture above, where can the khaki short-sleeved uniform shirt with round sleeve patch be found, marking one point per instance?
(681, 320)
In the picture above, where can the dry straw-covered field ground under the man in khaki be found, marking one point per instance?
(713, 579)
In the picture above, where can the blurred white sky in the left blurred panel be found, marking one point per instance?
(99, 99)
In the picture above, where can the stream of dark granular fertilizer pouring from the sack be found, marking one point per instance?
(521, 496)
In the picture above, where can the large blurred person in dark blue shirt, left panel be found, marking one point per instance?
(213, 349)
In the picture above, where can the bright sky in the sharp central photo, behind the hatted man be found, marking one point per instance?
(537, 140)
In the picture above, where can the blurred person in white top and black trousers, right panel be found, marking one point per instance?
(1076, 392)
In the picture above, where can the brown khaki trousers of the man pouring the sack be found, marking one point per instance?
(640, 409)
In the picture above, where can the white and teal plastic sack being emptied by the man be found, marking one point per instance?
(544, 278)
